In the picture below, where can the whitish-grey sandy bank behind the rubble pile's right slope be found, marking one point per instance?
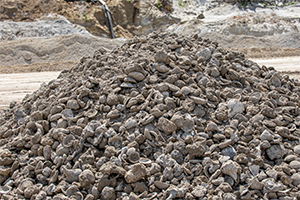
(256, 31)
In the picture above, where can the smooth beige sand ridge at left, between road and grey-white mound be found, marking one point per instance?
(55, 49)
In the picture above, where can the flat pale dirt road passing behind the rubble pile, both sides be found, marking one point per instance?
(14, 87)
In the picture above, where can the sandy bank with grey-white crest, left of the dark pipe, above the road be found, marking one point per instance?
(49, 44)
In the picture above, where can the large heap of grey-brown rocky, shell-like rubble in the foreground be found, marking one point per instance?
(161, 117)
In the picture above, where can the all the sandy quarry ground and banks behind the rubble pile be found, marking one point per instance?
(267, 35)
